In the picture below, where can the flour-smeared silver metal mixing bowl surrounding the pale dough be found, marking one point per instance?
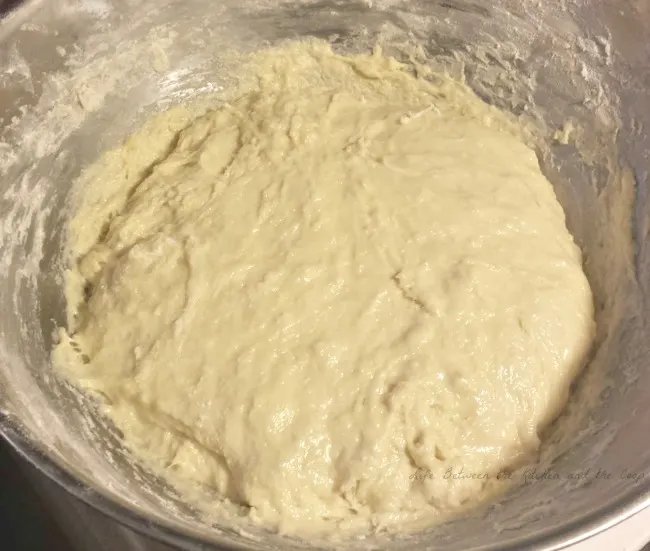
(79, 75)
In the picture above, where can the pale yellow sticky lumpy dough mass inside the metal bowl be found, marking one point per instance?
(340, 278)
